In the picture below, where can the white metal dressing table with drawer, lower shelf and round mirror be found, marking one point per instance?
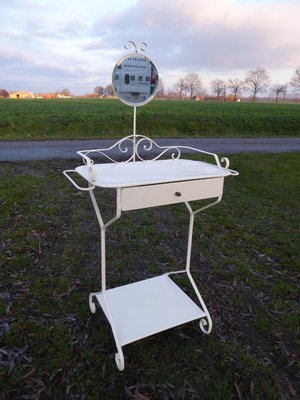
(149, 175)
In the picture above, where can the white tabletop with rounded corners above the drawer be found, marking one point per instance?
(113, 175)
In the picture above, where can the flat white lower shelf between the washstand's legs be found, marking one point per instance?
(147, 307)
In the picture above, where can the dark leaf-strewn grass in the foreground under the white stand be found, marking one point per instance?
(245, 260)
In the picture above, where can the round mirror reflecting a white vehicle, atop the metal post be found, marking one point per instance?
(135, 79)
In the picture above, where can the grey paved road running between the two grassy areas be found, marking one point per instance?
(66, 149)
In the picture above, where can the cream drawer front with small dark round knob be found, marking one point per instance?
(133, 198)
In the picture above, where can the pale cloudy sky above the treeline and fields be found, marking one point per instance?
(49, 45)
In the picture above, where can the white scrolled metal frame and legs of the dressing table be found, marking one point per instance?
(139, 148)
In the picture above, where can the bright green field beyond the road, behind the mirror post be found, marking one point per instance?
(83, 118)
